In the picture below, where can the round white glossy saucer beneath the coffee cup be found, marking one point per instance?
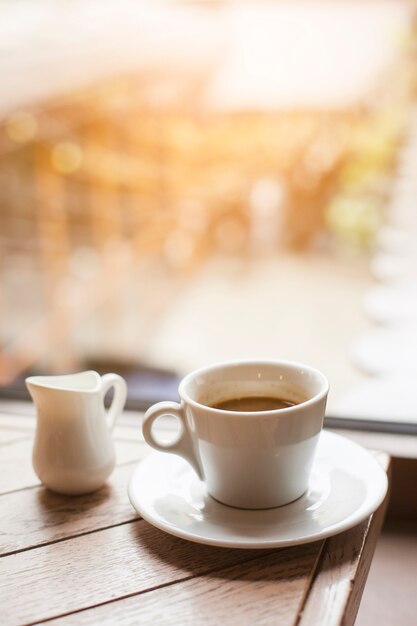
(346, 486)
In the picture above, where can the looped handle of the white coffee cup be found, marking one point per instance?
(183, 445)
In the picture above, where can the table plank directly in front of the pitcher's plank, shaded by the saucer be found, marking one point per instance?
(104, 566)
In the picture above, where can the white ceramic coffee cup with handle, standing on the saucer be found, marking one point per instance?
(250, 460)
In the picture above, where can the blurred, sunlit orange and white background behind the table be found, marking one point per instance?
(186, 182)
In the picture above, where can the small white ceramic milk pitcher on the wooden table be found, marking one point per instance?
(74, 451)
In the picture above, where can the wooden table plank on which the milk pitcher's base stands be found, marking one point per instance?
(32, 517)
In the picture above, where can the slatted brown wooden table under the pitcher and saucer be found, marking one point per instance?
(91, 560)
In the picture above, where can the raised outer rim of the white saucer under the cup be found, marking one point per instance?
(352, 520)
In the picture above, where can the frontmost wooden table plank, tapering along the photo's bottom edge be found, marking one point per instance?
(266, 590)
